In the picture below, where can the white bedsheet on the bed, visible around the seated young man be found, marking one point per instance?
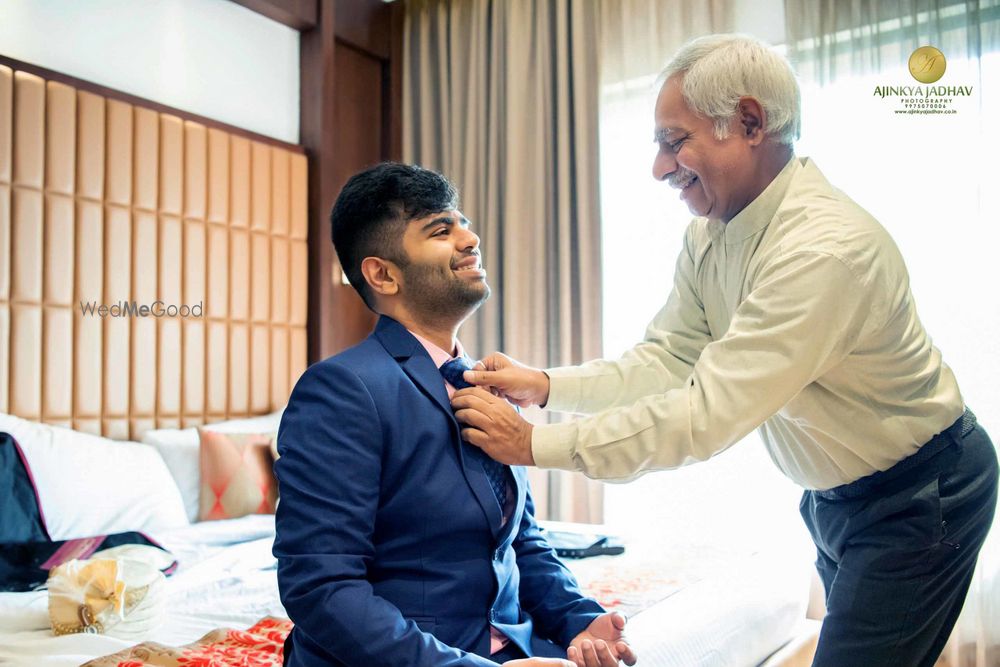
(741, 609)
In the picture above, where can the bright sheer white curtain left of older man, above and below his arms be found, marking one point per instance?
(643, 225)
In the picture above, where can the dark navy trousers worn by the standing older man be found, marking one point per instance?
(896, 551)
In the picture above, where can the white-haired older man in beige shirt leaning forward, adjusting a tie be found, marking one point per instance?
(791, 312)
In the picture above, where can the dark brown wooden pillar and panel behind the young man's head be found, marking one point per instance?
(350, 118)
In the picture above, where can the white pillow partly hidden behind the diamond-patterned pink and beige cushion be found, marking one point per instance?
(179, 449)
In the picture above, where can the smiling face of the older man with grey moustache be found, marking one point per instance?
(713, 175)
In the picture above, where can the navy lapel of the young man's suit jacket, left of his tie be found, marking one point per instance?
(420, 368)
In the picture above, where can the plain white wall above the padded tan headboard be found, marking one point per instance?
(213, 58)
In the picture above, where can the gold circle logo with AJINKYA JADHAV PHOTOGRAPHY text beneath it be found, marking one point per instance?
(927, 65)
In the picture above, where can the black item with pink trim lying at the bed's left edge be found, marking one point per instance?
(27, 553)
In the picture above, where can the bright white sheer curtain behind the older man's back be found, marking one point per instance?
(932, 181)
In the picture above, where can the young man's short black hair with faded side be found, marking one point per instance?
(373, 209)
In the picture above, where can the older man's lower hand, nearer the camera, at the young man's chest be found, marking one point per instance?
(493, 425)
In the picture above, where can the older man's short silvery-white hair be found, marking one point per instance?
(720, 69)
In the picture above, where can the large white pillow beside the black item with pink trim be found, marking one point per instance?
(89, 485)
